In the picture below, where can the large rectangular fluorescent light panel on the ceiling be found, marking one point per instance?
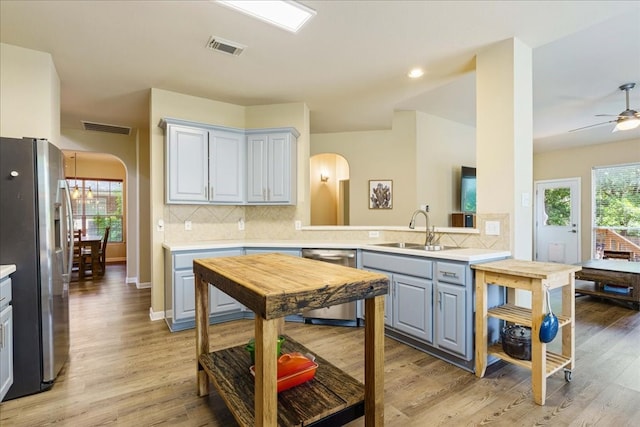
(289, 15)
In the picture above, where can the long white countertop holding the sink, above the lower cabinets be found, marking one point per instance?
(461, 254)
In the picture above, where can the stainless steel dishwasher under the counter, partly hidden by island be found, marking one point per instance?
(338, 313)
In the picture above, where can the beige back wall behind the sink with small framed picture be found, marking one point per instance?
(422, 154)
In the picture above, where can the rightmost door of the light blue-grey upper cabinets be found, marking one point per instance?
(279, 168)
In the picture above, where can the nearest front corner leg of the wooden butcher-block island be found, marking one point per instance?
(266, 388)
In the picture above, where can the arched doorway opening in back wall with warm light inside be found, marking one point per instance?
(329, 189)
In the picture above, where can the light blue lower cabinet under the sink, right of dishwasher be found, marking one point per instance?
(430, 304)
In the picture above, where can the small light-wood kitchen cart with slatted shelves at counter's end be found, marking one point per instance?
(535, 277)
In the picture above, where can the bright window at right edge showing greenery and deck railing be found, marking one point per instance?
(616, 203)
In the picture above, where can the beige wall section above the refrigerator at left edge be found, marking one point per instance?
(30, 89)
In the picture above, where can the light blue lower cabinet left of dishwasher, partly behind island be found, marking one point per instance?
(180, 302)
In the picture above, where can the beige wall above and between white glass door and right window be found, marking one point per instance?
(578, 163)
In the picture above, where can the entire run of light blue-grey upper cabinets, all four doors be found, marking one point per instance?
(208, 164)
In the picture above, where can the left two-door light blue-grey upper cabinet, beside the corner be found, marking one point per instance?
(204, 164)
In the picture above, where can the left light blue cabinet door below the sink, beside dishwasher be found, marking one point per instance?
(413, 306)
